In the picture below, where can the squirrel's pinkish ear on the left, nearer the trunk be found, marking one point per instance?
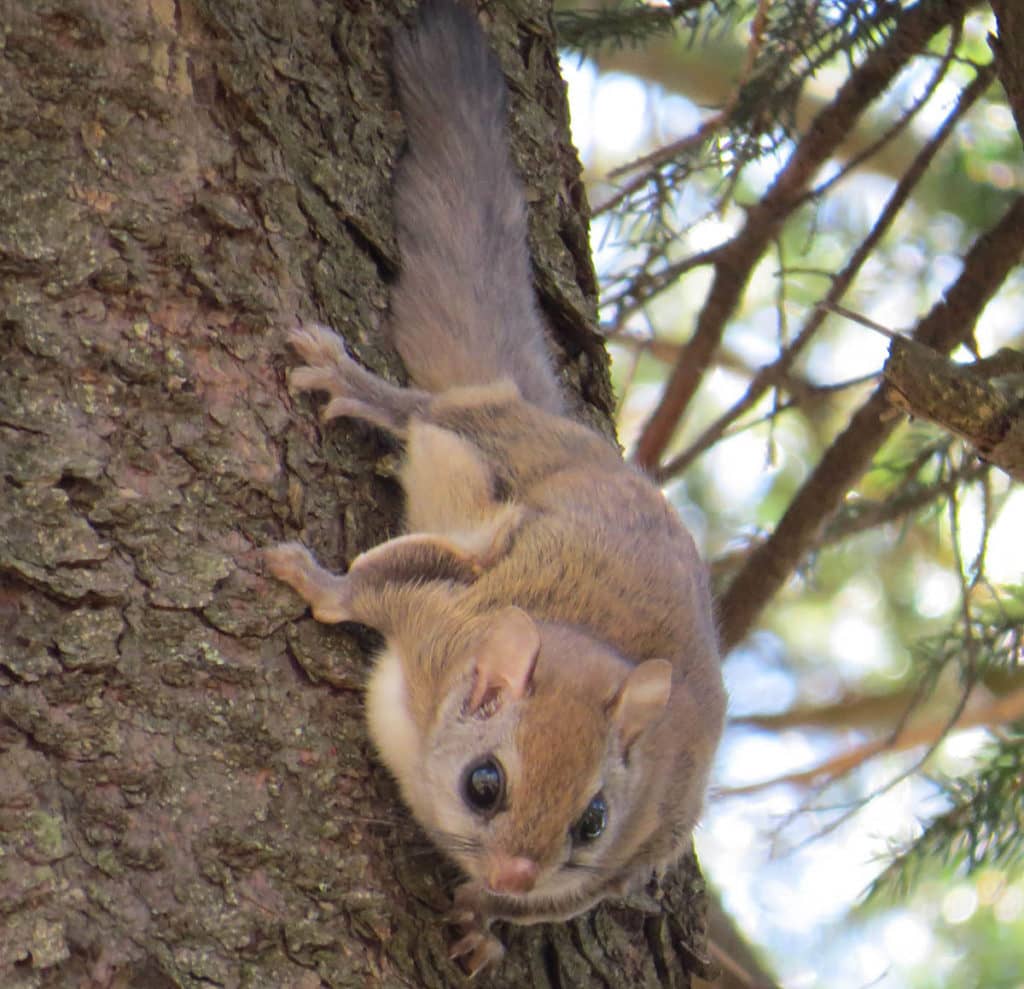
(505, 659)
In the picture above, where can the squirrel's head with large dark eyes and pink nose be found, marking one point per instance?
(534, 776)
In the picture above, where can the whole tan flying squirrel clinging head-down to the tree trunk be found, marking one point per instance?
(549, 697)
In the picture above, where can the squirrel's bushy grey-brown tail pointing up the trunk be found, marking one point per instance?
(463, 311)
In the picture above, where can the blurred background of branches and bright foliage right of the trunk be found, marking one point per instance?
(769, 180)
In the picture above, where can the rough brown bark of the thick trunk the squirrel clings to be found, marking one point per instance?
(187, 792)
